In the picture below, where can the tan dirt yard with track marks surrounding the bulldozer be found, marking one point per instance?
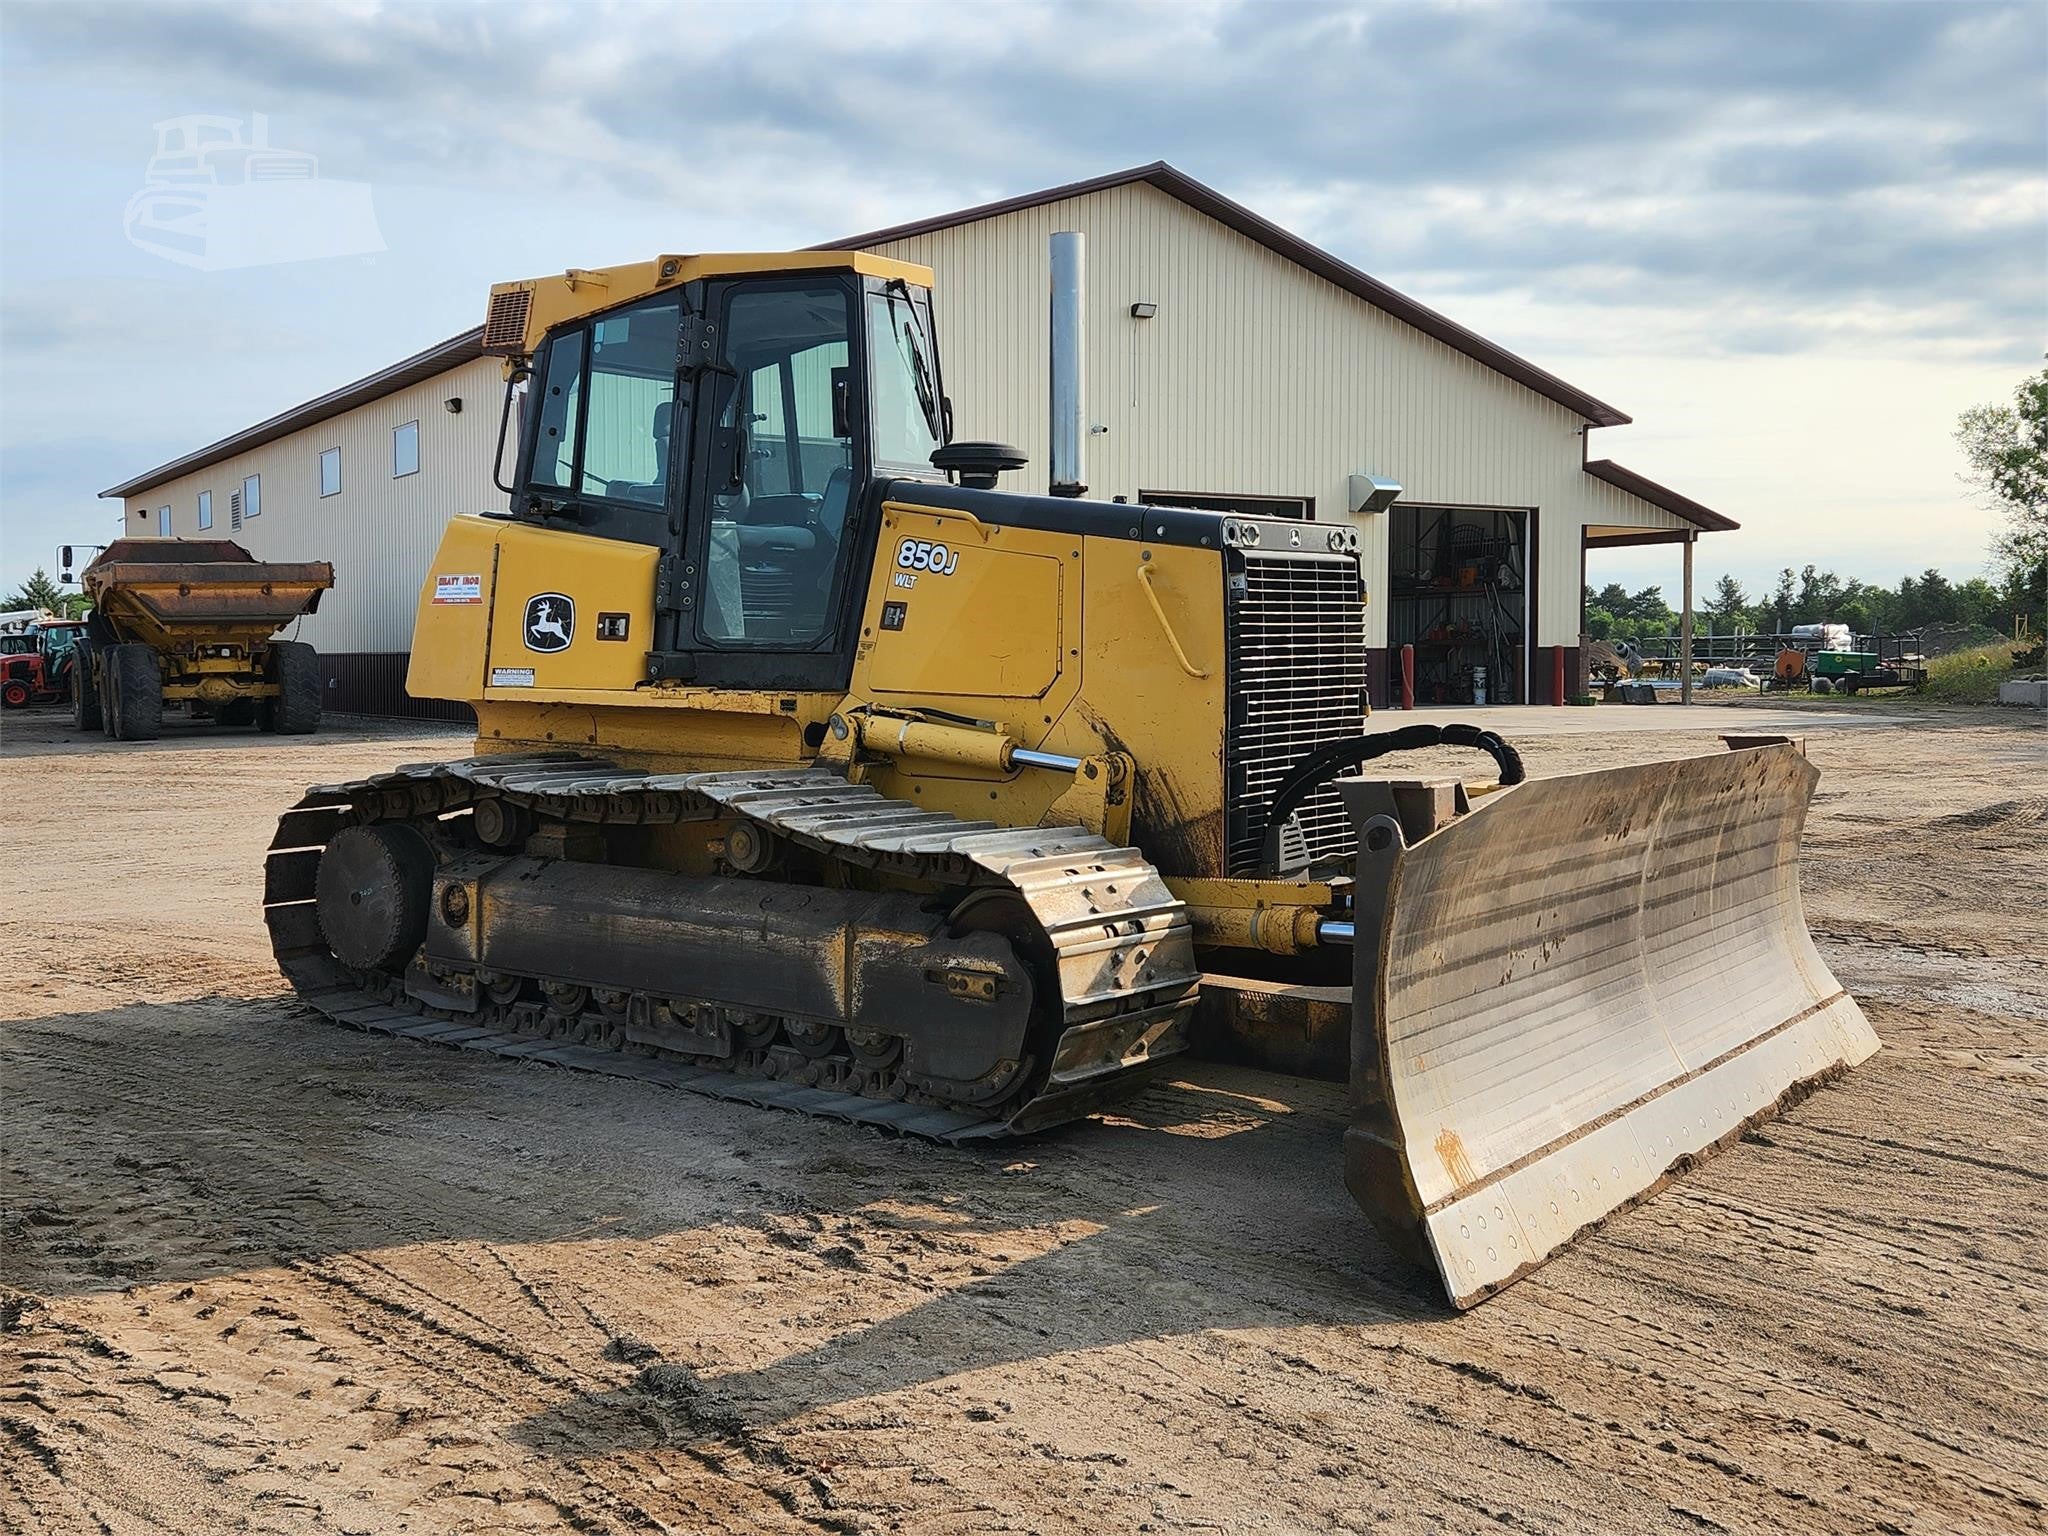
(263, 1273)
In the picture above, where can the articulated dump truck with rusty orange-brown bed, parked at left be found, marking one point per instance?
(194, 622)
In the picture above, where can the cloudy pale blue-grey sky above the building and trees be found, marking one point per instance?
(1793, 241)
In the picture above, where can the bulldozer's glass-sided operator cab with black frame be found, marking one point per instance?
(742, 425)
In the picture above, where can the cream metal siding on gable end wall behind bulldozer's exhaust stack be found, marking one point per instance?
(1254, 378)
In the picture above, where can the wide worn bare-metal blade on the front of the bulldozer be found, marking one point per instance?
(1576, 992)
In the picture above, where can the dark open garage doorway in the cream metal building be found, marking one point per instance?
(1459, 595)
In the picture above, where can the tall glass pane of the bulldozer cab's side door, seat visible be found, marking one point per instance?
(781, 470)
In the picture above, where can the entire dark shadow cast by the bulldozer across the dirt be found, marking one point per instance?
(1215, 1203)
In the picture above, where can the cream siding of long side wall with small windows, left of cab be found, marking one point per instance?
(382, 531)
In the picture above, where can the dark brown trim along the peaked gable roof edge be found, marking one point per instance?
(1236, 216)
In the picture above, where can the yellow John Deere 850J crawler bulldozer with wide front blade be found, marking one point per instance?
(818, 773)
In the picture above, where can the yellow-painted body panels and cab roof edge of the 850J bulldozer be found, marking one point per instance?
(1097, 646)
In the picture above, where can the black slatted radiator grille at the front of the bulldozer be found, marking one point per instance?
(1297, 683)
